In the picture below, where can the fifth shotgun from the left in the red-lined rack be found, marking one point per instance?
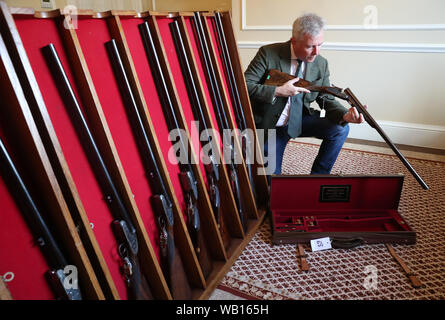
(197, 108)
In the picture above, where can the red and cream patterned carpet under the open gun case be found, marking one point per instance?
(268, 272)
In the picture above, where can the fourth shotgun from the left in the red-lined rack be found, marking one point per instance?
(187, 178)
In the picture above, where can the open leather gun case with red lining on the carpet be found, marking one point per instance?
(349, 209)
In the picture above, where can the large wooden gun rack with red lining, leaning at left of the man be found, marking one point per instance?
(80, 207)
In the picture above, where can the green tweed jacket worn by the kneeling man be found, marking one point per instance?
(266, 109)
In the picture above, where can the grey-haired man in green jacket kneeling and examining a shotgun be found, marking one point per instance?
(287, 108)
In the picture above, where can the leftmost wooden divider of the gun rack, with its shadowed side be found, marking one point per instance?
(23, 132)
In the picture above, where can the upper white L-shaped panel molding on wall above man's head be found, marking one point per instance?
(383, 27)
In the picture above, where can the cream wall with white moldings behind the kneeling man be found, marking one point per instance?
(390, 53)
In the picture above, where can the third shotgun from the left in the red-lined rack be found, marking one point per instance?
(160, 200)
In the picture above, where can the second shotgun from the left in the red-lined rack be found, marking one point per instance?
(122, 226)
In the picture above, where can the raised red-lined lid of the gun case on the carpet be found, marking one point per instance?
(335, 192)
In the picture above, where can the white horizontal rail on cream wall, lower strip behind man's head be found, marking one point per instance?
(363, 46)
